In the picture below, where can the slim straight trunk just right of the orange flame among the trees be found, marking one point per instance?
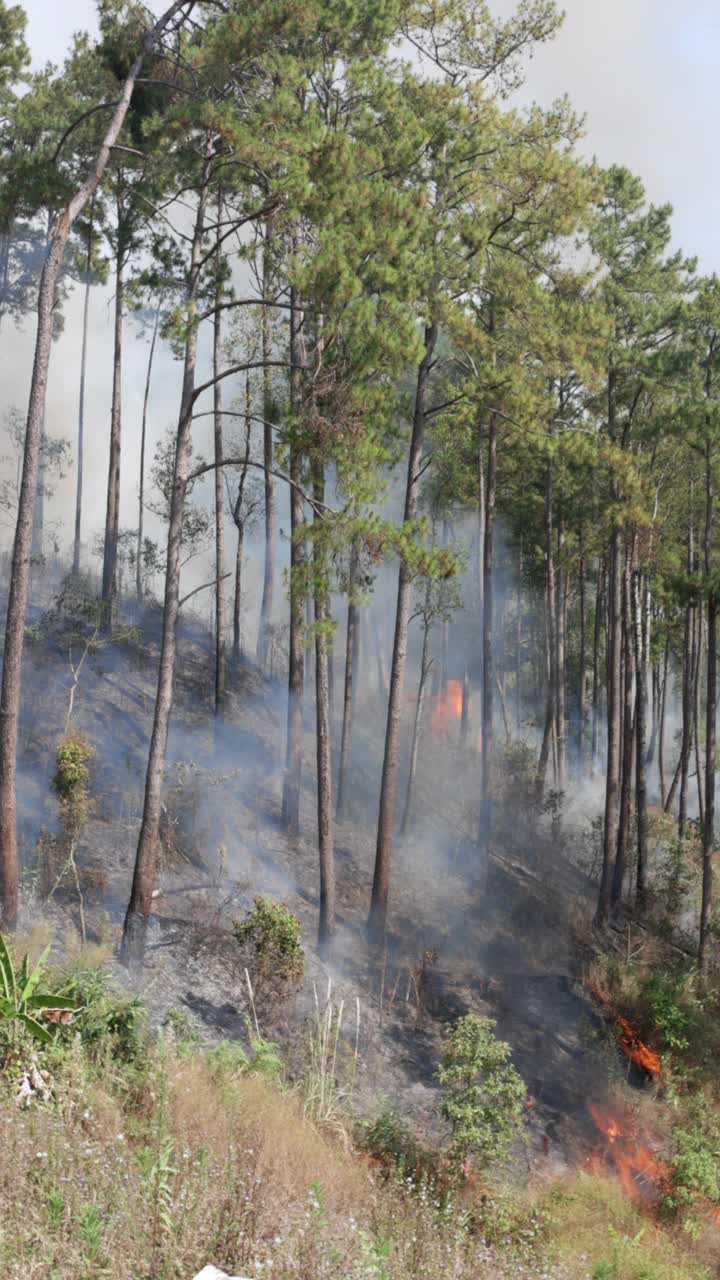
(489, 653)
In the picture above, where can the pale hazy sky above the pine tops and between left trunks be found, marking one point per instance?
(646, 75)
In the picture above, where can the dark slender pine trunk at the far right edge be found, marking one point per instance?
(712, 720)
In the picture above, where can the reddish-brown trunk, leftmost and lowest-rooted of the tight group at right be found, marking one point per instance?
(614, 673)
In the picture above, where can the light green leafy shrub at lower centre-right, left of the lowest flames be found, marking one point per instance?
(482, 1092)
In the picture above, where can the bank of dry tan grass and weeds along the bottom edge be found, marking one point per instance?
(153, 1171)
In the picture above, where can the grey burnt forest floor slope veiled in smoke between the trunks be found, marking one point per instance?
(511, 949)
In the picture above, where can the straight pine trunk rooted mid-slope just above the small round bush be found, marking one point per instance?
(297, 670)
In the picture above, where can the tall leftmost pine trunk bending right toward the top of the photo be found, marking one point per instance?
(22, 545)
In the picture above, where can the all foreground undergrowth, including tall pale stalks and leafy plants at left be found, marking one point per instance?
(149, 1155)
